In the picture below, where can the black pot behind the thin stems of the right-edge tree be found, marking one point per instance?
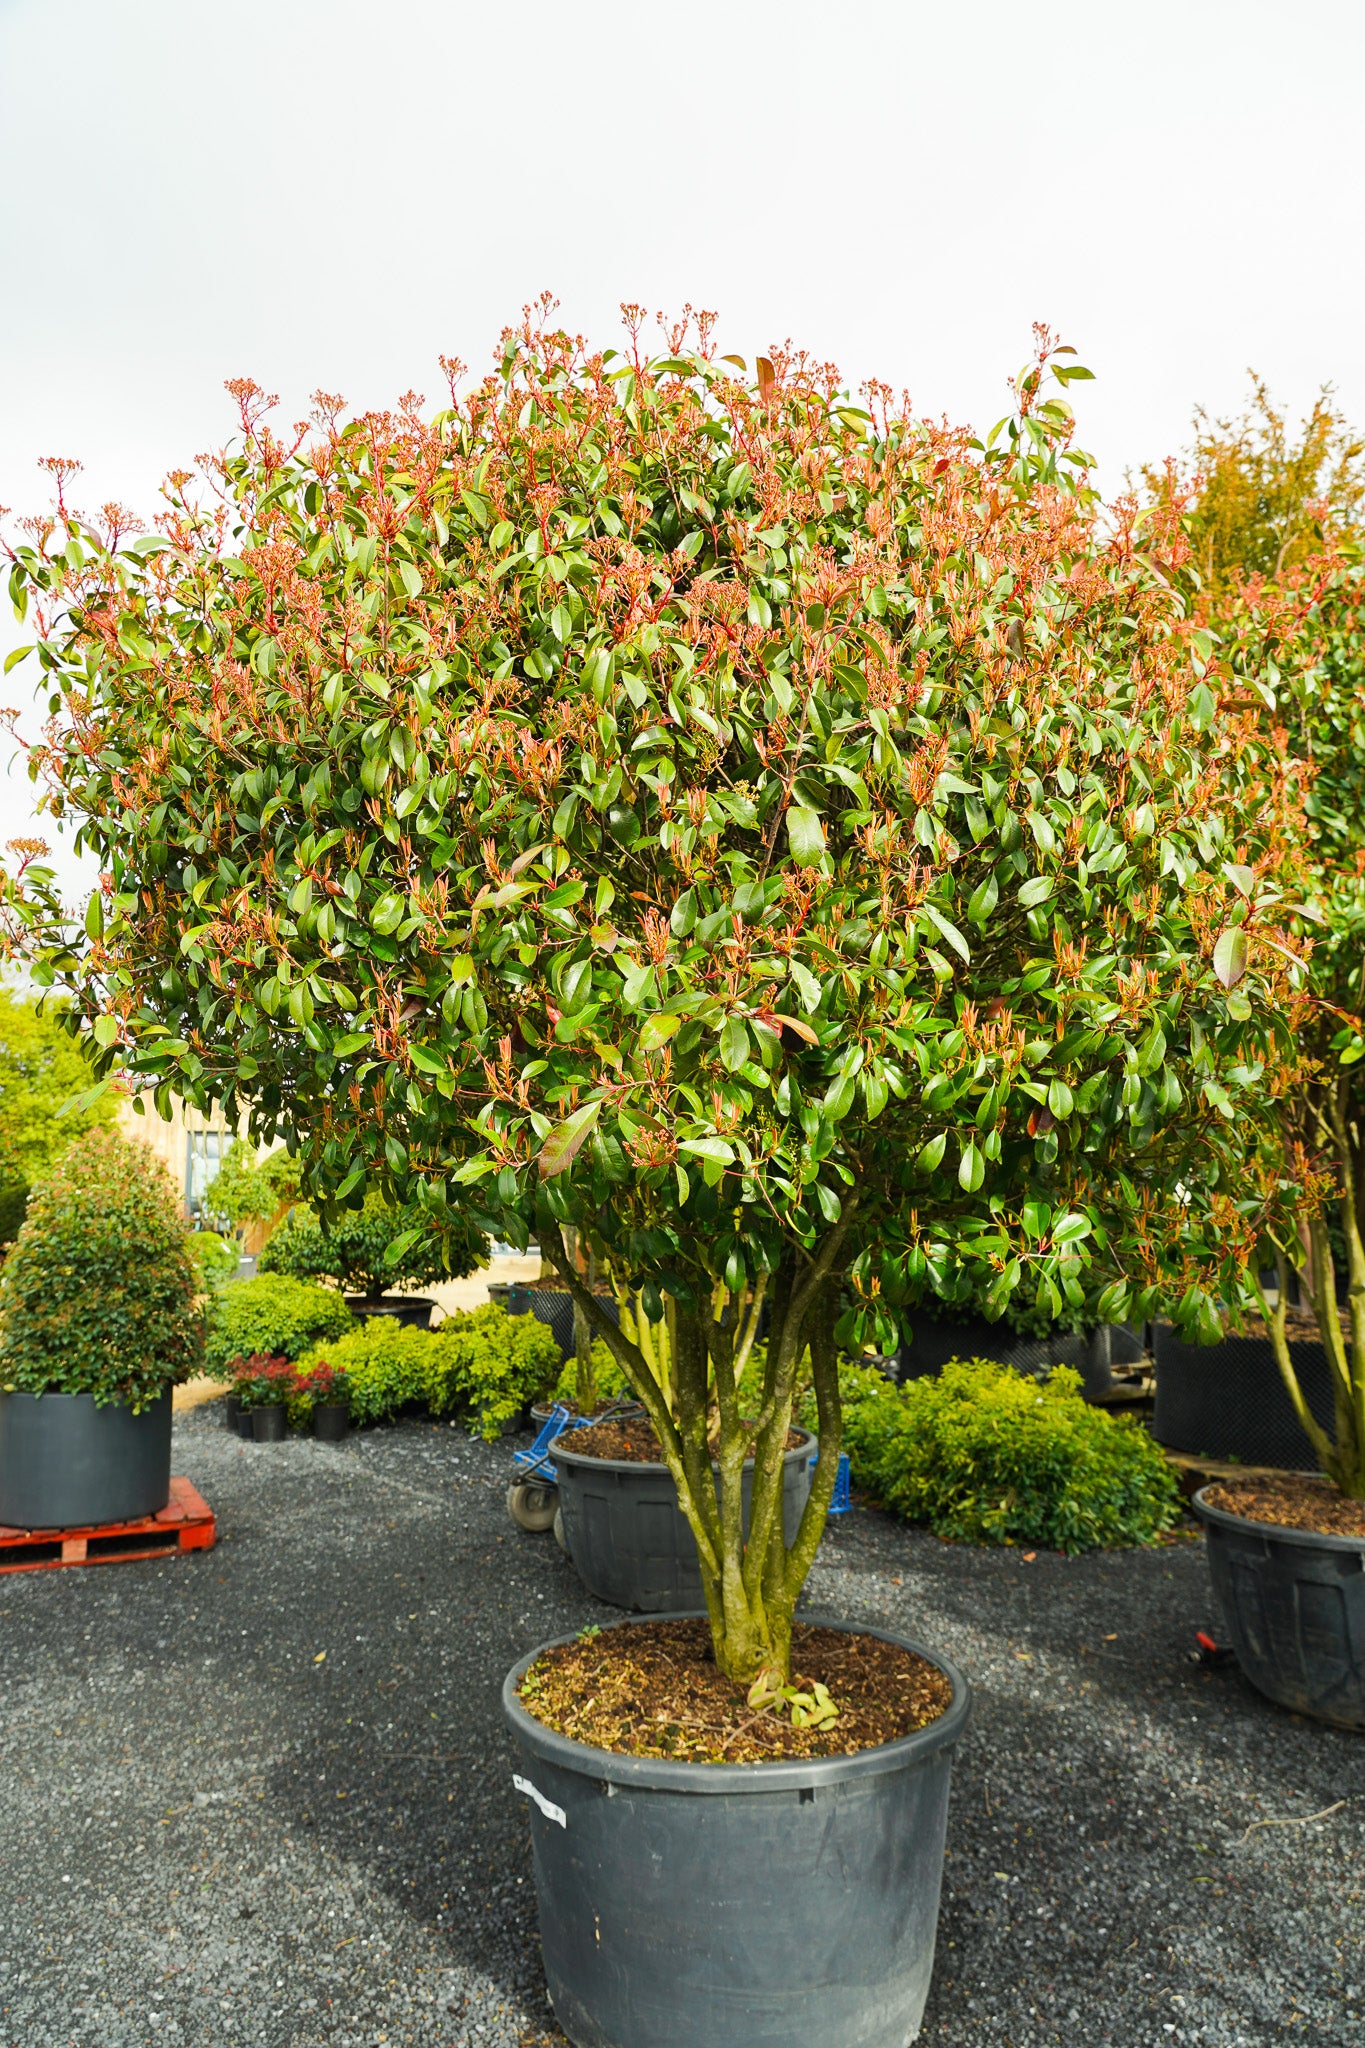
(1229, 1402)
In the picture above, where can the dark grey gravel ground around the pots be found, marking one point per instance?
(255, 1797)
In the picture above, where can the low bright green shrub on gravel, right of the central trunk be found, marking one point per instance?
(985, 1455)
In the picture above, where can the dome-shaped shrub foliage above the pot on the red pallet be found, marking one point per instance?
(99, 1293)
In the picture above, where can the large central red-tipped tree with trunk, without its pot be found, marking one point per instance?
(779, 839)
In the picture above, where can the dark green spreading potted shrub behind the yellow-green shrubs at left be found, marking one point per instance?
(355, 1252)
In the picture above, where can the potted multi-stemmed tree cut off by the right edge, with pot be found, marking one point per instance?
(1288, 1555)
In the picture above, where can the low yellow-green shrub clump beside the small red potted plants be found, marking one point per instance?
(486, 1363)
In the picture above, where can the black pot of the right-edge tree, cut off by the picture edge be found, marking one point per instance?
(1294, 1605)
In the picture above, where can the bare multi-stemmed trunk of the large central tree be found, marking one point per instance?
(752, 1588)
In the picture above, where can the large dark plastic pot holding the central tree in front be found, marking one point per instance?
(740, 1906)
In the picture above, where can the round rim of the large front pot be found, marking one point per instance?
(674, 1775)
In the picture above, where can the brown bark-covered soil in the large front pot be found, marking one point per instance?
(654, 1691)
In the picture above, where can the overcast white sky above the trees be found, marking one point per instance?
(335, 191)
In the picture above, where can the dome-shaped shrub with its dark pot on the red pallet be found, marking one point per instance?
(99, 1322)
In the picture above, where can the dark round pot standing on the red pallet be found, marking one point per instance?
(67, 1463)
